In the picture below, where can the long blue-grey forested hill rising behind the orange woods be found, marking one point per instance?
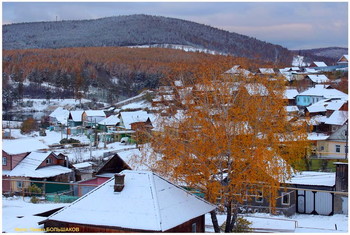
(138, 30)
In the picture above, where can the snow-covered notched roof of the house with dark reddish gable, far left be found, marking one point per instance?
(28, 167)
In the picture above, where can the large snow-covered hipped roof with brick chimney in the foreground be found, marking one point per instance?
(147, 202)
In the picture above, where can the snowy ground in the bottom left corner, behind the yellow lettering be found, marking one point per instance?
(18, 214)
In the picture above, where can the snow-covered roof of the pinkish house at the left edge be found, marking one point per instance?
(22, 145)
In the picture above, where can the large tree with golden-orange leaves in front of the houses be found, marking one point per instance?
(230, 139)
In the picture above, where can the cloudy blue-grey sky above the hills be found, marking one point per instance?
(294, 25)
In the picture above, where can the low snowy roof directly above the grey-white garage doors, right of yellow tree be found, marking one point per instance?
(313, 178)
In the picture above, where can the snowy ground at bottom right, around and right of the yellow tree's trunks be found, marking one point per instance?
(298, 223)
